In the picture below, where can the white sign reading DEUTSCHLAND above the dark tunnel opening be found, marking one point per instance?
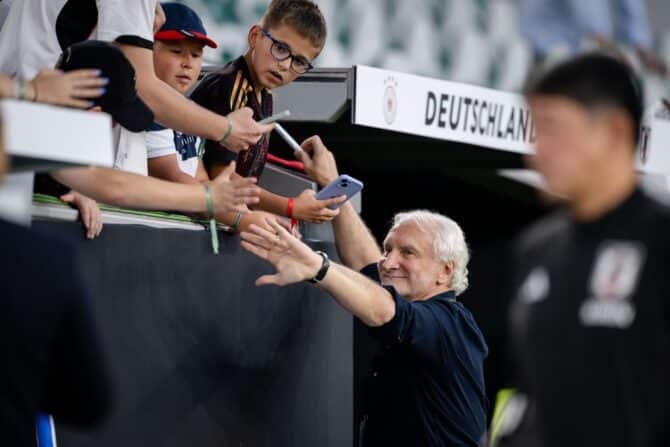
(441, 109)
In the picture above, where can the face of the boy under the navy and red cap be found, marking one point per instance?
(178, 62)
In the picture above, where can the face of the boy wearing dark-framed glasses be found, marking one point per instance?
(268, 71)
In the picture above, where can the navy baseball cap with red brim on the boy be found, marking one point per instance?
(181, 22)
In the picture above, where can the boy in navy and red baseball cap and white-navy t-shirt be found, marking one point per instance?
(178, 50)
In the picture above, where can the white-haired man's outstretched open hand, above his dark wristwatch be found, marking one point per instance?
(293, 260)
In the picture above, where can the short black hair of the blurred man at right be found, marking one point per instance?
(593, 80)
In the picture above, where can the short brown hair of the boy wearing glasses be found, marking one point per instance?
(303, 16)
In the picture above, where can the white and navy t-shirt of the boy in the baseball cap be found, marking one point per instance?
(161, 142)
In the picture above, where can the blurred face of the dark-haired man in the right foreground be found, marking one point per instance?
(570, 146)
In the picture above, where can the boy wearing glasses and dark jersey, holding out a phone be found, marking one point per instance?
(290, 35)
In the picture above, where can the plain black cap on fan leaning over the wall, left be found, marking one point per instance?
(120, 100)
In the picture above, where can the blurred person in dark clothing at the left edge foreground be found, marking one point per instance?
(51, 360)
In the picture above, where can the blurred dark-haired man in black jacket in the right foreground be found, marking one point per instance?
(590, 316)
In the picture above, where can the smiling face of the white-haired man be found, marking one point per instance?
(409, 265)
